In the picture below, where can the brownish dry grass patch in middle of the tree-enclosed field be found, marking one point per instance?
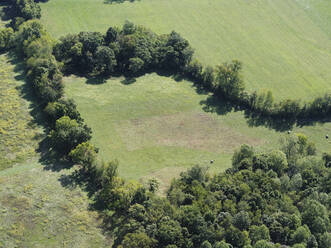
(200, 131)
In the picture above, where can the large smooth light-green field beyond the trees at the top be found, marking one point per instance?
(285, 45)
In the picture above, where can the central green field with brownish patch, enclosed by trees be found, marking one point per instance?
(156, 126)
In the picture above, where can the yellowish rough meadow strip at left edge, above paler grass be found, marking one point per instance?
(18, 133)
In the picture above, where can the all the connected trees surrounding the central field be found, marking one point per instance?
(279, 198)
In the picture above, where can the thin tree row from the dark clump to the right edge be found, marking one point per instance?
(226, 81)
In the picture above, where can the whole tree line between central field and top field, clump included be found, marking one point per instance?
(135, 50)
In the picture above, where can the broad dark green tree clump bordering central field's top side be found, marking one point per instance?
(132, 50)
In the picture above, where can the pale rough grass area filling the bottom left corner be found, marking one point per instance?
(37, 211)
